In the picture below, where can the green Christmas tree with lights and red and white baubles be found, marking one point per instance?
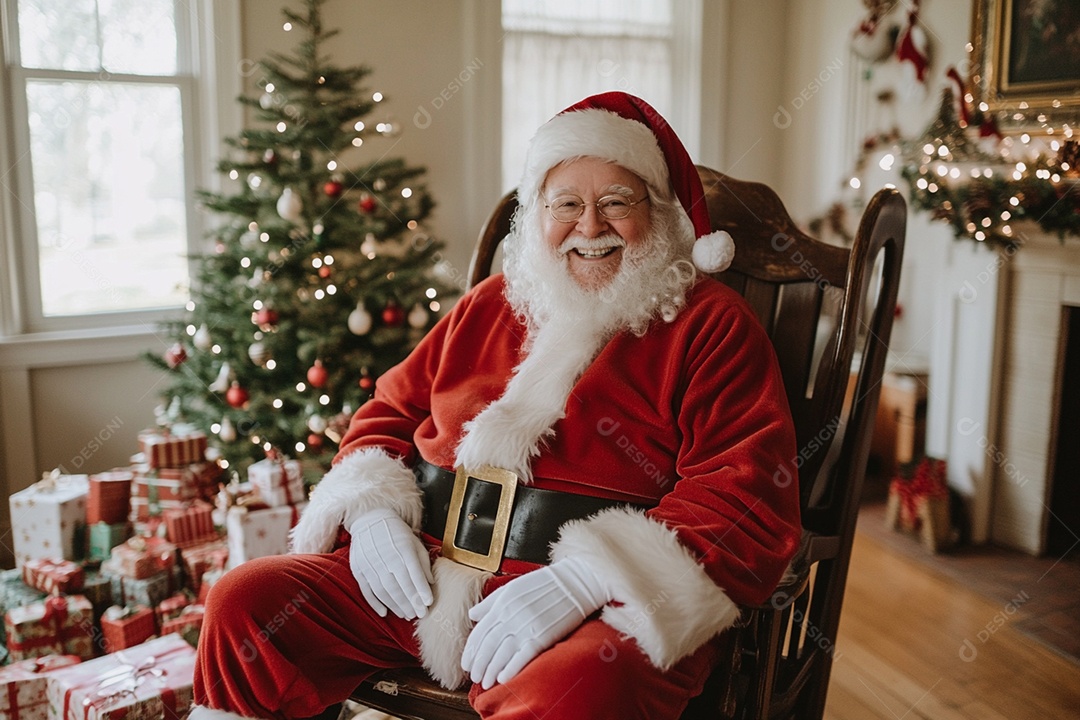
(321, 277)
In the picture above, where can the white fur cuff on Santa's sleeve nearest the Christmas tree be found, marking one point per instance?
(361, 482)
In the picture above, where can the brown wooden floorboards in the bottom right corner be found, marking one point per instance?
(914, 645)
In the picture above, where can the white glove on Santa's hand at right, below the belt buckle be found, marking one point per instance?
(528, 616)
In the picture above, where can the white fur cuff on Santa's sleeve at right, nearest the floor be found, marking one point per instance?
(669, 605)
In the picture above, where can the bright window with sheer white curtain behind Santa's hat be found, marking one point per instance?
(561, 51)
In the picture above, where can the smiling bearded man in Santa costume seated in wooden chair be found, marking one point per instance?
(614, 420)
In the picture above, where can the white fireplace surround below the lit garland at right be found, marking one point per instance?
(994, 379)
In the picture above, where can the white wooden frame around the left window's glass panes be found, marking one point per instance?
(209, 80)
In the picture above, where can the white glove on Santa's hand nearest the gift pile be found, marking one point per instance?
(391, 565)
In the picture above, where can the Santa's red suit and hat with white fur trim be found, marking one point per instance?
(690, 419)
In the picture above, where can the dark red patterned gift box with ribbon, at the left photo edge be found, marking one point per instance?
(56, 627)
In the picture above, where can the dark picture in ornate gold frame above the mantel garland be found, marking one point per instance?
(1027, 60)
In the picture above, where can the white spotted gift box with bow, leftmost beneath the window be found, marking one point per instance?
(48, 519)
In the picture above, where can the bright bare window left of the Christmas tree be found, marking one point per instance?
(103, 142)
